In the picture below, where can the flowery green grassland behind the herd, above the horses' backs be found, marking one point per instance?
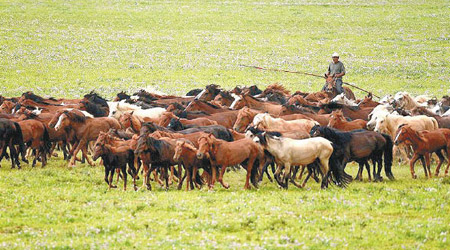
(66, 48)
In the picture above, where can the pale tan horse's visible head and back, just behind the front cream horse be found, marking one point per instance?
(266, 122)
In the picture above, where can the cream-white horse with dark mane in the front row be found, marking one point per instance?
(290, 152)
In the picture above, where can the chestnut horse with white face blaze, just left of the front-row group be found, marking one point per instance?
(85, 129)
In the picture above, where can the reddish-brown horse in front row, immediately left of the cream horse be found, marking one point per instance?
(223, 154)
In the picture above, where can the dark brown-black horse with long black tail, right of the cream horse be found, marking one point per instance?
(360, 146)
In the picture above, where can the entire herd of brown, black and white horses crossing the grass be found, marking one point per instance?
(199, 136)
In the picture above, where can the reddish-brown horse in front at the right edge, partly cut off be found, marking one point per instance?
(425, 143)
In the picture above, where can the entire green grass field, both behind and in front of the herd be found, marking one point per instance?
(68, 48)
